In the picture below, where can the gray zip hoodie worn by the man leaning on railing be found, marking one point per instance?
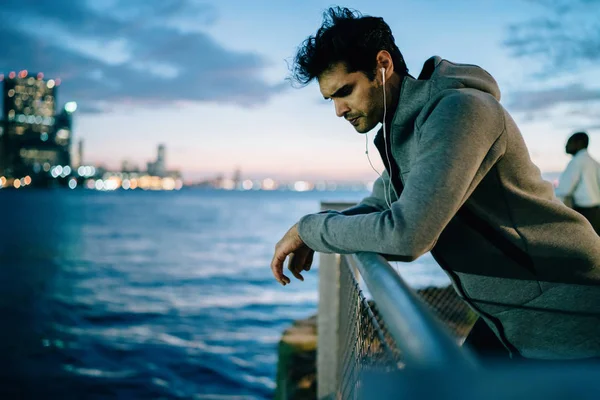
(467, 190)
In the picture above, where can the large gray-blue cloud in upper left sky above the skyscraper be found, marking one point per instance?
(130, 52)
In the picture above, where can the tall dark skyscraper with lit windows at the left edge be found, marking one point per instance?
(28, 139)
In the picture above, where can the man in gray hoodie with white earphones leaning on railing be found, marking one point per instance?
(459, 182)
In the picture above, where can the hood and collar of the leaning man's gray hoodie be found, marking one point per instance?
(436, 76)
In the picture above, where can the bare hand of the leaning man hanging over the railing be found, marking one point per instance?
(300, 259)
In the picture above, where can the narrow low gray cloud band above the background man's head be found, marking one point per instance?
(538, 100)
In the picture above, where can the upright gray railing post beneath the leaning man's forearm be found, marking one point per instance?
(328, 318)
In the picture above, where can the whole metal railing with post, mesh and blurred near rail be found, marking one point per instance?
(405, 343)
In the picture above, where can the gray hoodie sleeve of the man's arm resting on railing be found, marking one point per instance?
(459, 142)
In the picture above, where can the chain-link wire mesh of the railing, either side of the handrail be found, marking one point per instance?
(365, 343)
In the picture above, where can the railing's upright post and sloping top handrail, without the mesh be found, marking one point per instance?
(425, 343)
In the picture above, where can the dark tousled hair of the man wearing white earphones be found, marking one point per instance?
(346, 36)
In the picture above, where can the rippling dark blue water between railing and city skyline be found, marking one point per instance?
(150, 294)
